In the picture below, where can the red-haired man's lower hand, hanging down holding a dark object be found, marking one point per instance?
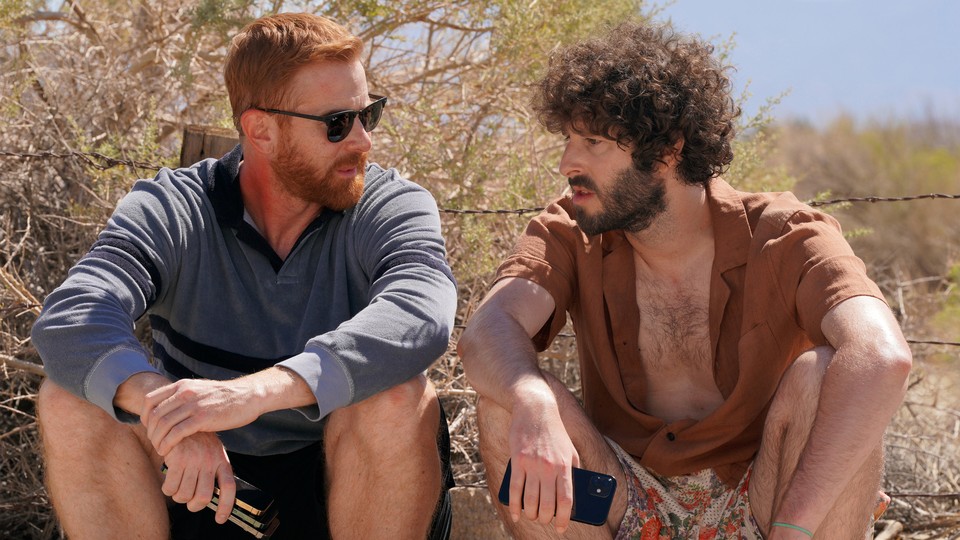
(193, 466)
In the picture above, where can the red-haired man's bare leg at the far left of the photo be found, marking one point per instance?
(102, 476)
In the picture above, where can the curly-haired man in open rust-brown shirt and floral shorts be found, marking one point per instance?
(738, 366)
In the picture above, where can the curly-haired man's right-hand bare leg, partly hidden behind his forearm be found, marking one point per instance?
(785, 433)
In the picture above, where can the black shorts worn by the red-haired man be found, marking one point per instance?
(296, 482)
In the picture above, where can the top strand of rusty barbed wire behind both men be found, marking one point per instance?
(103, 162)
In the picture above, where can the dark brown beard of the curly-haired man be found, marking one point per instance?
(631, 205)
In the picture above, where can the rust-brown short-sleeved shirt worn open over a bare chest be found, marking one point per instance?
(779, 267)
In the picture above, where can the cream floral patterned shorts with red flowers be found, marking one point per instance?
(696, 506)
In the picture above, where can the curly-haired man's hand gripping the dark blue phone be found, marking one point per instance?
(542, 456)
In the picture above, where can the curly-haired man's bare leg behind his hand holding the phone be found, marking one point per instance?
(595, 454)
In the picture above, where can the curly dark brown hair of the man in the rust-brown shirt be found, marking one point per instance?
(645, 85)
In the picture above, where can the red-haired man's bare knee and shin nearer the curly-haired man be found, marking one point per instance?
(383, 467)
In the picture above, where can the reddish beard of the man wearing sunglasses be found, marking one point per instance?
(303, 181)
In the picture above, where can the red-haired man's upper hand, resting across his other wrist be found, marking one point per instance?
(190, 406)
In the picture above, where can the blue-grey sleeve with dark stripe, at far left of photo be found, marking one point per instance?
(85, 332)
